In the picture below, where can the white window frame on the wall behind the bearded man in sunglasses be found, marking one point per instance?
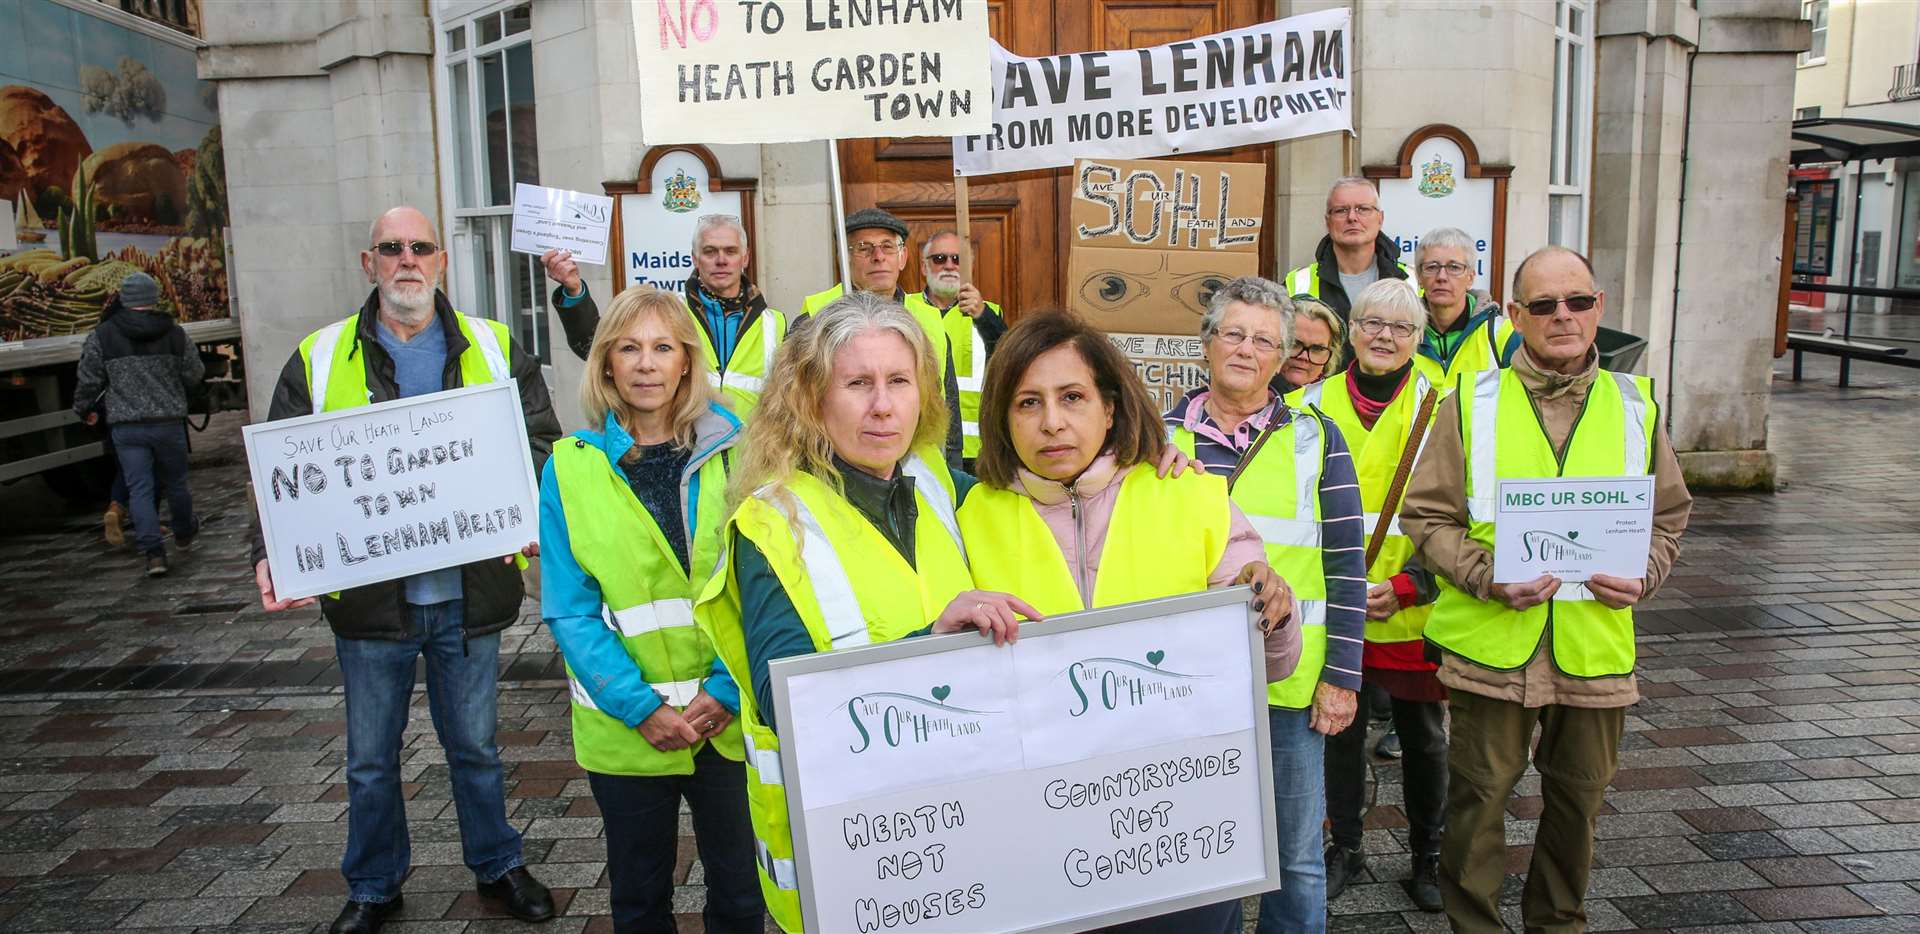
(466, 283)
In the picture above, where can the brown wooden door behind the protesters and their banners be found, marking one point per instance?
(1020, 220)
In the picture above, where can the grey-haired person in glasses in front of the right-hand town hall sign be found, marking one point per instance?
(1466, 333)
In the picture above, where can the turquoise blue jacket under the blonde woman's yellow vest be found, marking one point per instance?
(571, 601)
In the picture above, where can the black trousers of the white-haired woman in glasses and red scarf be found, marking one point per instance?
(1422, 729)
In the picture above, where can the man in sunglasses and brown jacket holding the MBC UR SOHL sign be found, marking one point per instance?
(1548, 654)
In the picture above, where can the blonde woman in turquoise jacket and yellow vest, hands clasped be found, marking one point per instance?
(631, 520)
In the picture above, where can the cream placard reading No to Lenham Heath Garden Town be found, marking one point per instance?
(809, 70)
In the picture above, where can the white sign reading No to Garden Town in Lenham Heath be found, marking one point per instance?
(387, 491)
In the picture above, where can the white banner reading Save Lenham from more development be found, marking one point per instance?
(1266, 84)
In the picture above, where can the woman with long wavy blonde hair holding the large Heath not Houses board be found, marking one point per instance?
(842, 466)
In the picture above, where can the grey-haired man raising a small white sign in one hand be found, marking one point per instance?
(742, 332)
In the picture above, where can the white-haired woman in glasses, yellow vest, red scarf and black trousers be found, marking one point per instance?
(1380, 405)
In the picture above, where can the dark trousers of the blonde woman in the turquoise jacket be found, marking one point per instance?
(642, 818)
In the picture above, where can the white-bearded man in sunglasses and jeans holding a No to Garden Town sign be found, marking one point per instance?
(410, 341)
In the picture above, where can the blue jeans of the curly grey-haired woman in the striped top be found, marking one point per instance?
(1299, 810)
